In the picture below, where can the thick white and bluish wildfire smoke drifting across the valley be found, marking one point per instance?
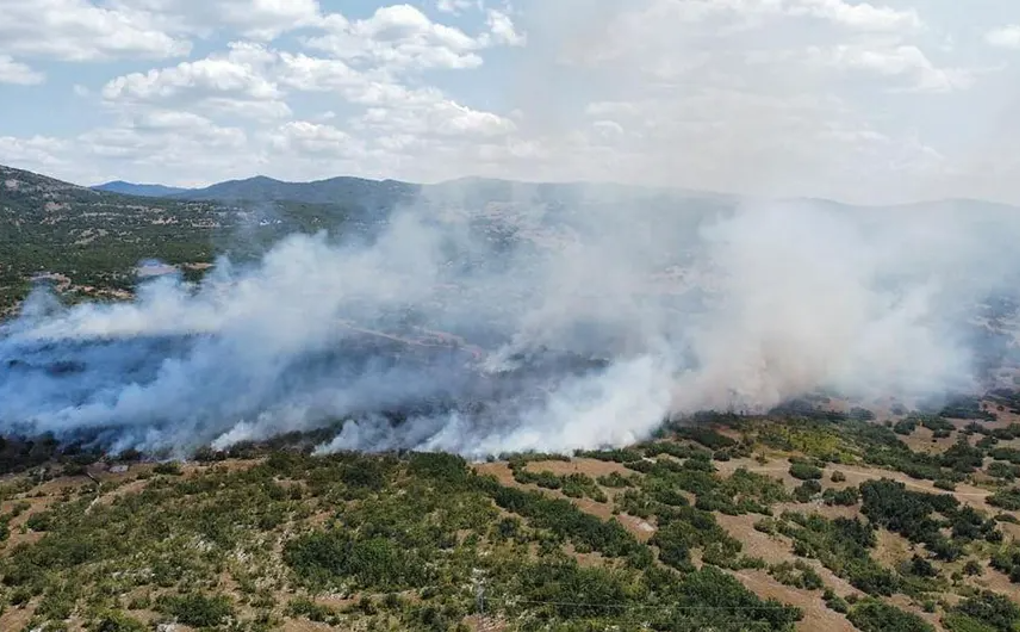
(483, 332)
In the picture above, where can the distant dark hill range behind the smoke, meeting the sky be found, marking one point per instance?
(88, 243)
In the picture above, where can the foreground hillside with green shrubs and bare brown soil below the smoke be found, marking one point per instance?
(726, 524)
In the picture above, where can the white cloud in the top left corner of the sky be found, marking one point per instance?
(77, 31)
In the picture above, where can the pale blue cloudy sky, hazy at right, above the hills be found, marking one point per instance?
(865, 103)
